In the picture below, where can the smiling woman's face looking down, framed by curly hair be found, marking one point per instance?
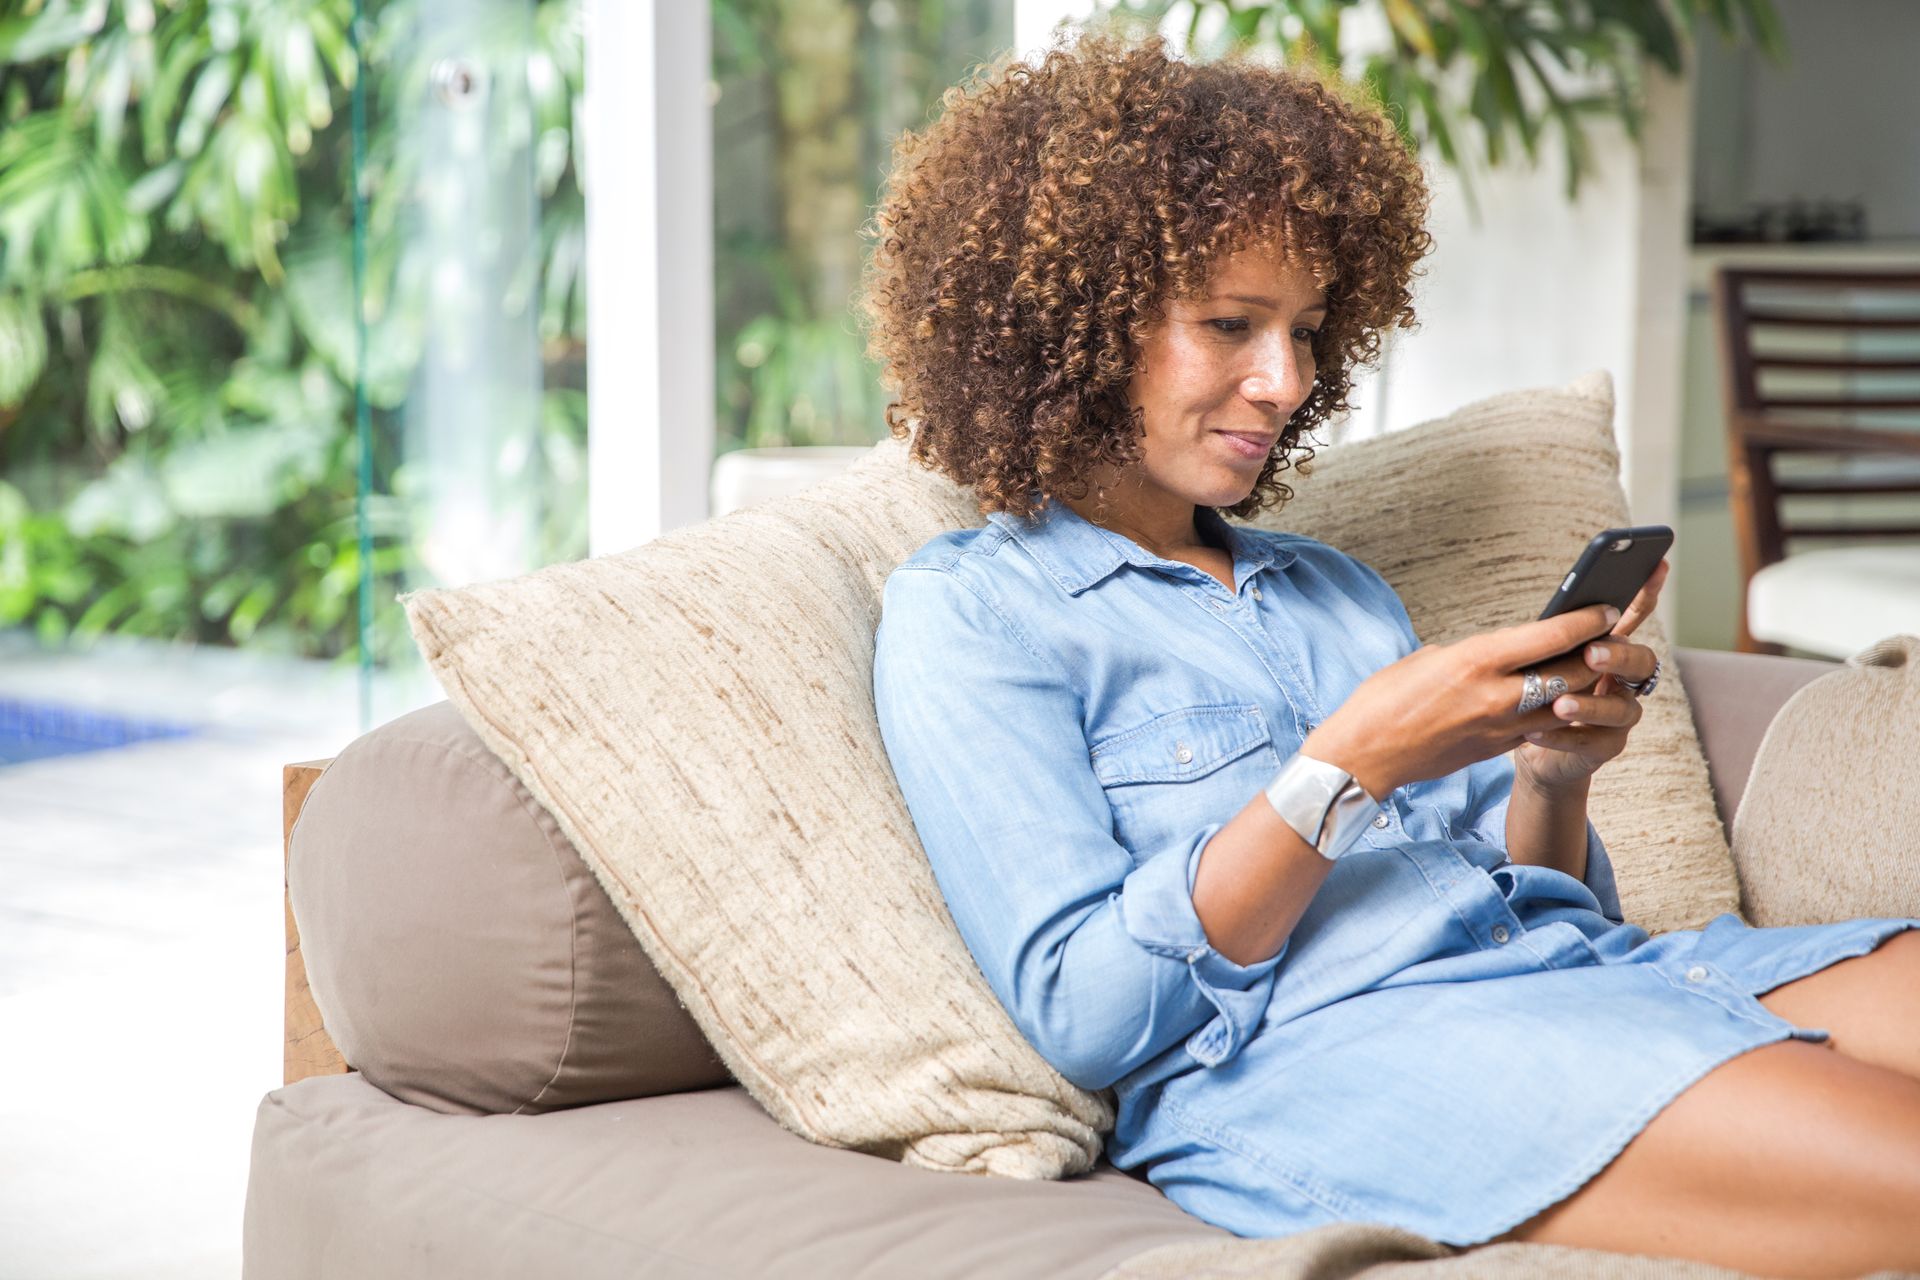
(1220, 379)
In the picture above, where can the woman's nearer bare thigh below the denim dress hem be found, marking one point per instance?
(1788, 1160)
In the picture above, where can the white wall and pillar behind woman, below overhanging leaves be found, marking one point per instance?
(1541, 291)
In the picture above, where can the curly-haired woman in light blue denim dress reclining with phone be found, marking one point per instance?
(1115, 293)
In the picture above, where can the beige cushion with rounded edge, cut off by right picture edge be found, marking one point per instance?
(1827, 828)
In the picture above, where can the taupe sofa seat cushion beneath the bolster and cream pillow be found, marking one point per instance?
(350, 1183)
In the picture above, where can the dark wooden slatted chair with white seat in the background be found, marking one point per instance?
(1823, 402)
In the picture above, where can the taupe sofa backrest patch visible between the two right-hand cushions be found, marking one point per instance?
(1735, 698)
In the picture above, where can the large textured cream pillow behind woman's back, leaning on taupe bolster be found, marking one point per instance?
(698, 715)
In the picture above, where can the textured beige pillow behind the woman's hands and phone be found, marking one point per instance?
(1474, 519)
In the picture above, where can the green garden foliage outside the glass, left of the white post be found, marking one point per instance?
(178, 316)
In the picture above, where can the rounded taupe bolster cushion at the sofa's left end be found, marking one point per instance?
(462, 955)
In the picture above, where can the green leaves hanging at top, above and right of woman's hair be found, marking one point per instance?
(1504, 70)
